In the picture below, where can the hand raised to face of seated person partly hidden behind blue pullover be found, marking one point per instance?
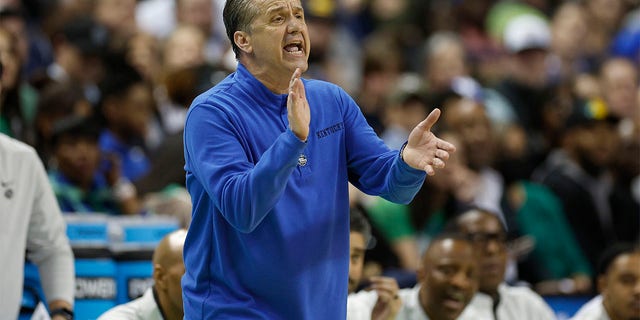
(388, 304)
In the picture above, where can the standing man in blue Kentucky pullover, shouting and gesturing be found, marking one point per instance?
(268, 158)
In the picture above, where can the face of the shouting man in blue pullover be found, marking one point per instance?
(279, 38)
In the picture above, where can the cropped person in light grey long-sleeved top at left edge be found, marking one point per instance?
(32, 224)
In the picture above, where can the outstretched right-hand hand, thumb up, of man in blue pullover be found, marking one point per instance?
(424, 150)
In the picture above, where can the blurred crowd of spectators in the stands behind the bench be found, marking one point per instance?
(541, 98)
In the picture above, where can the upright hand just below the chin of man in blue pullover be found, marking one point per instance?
(298, 112)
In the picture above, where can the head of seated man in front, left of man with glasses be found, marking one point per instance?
(448, 279)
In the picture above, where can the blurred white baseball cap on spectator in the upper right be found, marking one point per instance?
(526, 31)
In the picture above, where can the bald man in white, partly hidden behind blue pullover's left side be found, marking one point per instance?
(164, 299)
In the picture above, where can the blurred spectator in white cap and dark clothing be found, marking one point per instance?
(526, 90)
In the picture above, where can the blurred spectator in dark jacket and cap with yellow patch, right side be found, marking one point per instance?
(578, 175)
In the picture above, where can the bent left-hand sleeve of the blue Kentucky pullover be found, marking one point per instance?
(243, 192)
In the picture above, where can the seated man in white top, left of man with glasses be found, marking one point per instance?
(448, 280)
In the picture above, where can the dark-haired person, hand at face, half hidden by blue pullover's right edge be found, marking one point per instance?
(380, 299)
